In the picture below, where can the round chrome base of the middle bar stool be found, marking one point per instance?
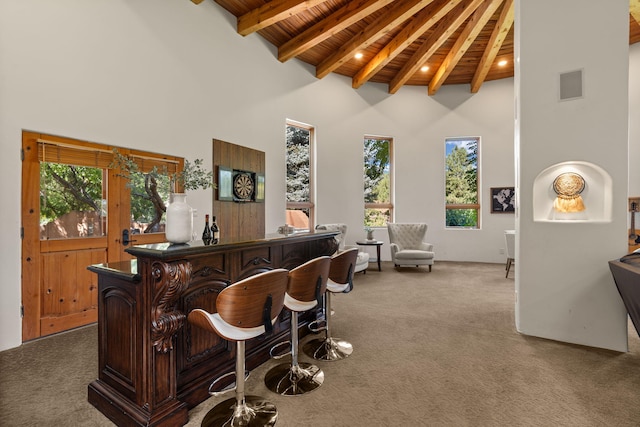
(288, 380)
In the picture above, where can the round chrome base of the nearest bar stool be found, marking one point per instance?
(255, 412)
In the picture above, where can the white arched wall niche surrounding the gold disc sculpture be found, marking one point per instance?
(596, 196)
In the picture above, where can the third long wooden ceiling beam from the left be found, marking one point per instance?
(387, 22)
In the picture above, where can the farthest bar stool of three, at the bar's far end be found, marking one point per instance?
(340, 281)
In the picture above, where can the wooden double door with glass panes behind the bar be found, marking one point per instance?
(76, 211)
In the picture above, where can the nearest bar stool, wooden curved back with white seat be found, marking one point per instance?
(245, 310)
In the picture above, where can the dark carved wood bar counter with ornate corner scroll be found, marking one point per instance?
(153, 365)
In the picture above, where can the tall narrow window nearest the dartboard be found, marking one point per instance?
(300, 200)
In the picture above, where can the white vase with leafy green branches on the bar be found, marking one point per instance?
(179, 215)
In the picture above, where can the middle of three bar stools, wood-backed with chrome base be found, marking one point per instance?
(307, 285)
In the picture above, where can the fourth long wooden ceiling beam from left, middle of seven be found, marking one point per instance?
(423, 21)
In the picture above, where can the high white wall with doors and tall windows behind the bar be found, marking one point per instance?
(170, 76)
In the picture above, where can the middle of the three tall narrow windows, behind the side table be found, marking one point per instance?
(378, 208)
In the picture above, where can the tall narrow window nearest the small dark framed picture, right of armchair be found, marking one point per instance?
(461, 182)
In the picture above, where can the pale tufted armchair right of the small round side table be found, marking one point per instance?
(408, 247)
